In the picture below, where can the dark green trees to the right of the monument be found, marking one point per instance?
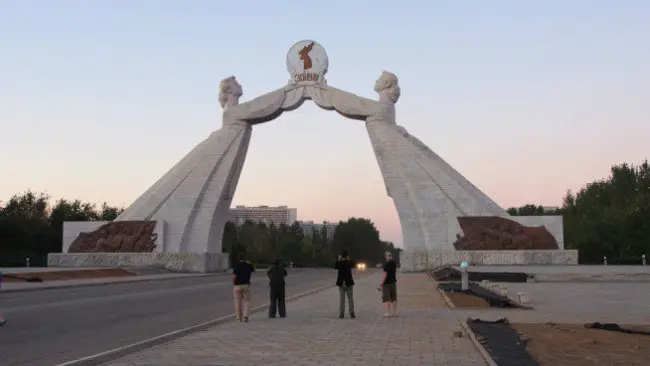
(609, 217)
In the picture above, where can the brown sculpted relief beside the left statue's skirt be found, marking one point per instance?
(118, 236)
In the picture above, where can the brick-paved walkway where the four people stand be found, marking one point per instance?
(312, 334)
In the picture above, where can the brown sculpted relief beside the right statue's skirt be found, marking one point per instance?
(498, 233)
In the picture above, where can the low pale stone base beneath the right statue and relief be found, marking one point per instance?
(422, 260)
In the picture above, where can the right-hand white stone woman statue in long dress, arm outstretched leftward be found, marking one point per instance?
(428, 193)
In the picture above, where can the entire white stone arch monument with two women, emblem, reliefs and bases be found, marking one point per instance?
(178, 222)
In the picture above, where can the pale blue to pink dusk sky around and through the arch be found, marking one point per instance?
(526, 99)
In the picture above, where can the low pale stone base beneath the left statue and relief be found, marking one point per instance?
(178, 262)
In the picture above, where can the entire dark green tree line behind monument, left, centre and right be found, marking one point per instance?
(609, 218)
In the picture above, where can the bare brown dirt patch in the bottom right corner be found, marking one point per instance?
(575, 345)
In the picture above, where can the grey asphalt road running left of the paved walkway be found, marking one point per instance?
(49, 327)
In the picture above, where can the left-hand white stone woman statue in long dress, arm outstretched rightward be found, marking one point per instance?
(194, 196)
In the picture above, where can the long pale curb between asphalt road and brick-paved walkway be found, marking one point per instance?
(111, 355)
